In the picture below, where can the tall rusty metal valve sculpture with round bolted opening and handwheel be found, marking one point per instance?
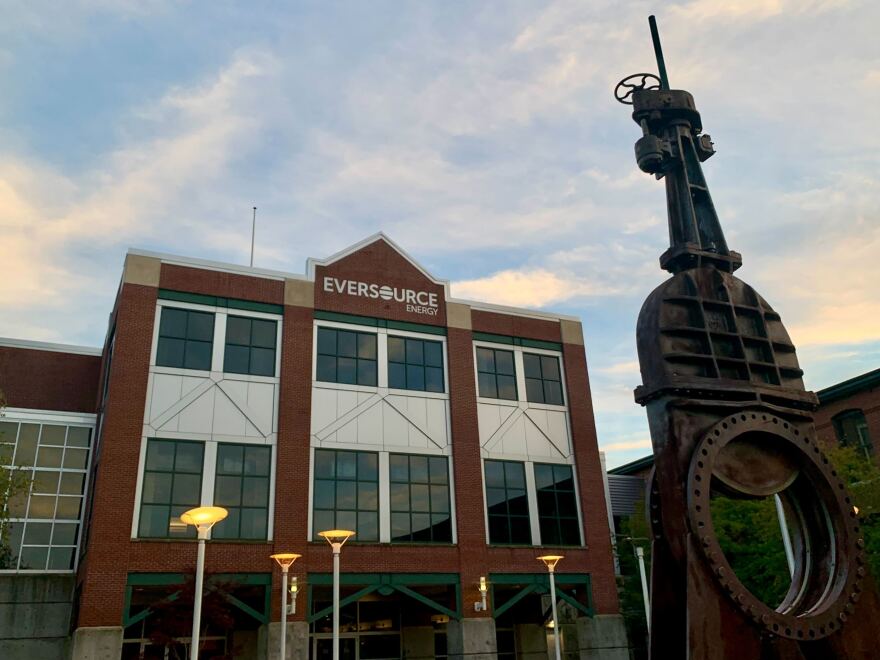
(729, 414)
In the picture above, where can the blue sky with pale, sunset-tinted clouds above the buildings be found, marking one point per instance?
(481, 136)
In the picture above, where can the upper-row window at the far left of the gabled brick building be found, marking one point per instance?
(185, 339)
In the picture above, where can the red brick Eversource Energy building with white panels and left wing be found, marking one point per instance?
(456, 438)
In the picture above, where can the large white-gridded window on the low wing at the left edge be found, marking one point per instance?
(43, 525)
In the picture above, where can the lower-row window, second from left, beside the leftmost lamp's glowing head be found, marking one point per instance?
(242, 487)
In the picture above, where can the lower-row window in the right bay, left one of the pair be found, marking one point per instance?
(507, 503)
